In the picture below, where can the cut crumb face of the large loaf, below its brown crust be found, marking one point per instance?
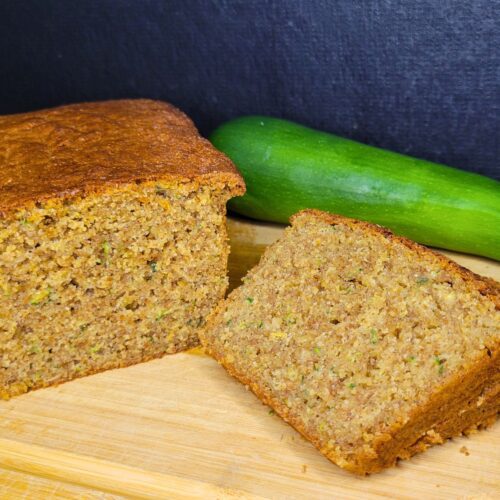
(108, 280)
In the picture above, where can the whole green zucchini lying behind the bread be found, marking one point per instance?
(288, 167)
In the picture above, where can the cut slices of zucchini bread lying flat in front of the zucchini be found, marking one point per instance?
(370, 345)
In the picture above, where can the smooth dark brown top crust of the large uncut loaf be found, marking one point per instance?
(87, 148)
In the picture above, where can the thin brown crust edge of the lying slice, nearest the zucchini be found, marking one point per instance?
(485, 286)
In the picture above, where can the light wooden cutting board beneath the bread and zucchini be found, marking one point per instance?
(181, 427)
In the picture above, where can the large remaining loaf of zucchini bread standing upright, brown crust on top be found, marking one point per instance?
(113, 245)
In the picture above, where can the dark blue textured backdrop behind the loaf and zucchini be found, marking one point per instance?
(419, 77)
